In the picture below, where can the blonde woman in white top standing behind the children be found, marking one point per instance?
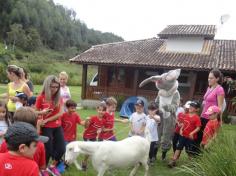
(65, 91)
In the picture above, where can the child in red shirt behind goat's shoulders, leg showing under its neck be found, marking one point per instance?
(93, 126)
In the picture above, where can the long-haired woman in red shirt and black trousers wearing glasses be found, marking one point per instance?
(50, 100)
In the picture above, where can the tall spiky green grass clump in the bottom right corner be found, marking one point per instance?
(218, 160)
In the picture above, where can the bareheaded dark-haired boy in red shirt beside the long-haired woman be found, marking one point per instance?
(69, 121)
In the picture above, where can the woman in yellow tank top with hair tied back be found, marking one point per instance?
(15, 85)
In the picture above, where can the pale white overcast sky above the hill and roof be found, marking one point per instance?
(142, 19)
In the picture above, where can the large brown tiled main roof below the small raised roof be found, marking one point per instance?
(150, 53)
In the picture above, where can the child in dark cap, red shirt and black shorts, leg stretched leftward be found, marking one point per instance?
(188, 133)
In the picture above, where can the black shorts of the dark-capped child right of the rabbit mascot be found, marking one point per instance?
(187, 143)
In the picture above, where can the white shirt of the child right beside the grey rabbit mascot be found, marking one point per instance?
(152, 126)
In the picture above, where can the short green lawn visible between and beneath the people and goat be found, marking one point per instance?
(160, 167)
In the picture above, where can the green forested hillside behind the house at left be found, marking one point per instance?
(41, 36)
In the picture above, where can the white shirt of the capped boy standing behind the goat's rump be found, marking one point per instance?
(138, 121)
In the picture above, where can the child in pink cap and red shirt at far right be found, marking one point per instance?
(212, 125)
